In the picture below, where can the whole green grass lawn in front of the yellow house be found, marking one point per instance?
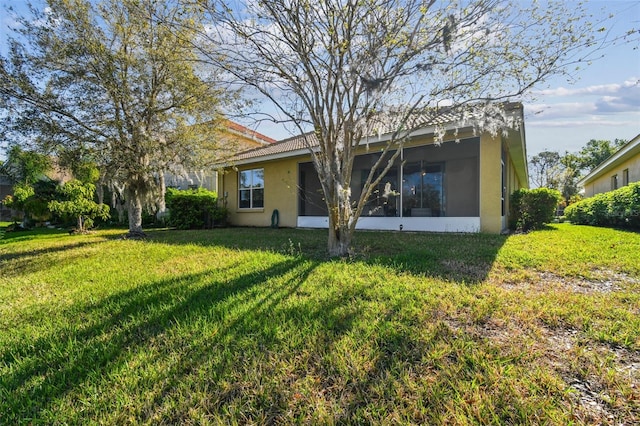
(256, 326)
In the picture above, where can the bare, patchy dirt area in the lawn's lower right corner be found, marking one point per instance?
(594, 401)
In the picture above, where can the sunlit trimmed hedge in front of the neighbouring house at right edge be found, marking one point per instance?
(619, 208)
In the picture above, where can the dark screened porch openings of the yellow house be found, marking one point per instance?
(425, 181)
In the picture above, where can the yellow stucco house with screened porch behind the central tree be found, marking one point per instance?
(452, 187)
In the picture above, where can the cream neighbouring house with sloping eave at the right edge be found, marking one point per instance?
(619, 170)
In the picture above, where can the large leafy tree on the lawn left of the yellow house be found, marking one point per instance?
(113, 80)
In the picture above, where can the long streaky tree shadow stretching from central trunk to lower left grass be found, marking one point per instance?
(106, 334)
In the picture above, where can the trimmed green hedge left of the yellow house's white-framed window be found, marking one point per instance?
(194, 209)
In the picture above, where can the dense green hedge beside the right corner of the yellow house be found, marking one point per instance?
(532, 208)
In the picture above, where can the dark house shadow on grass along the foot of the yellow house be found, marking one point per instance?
(462, 258)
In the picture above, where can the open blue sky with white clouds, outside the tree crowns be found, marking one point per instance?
(604, 102)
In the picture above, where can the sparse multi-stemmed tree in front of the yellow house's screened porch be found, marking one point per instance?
(346, 69)
